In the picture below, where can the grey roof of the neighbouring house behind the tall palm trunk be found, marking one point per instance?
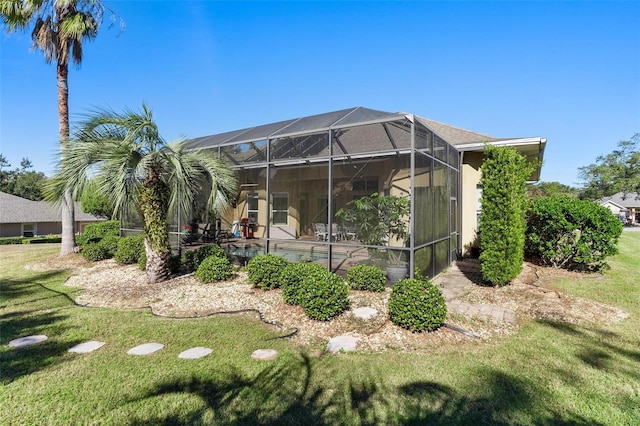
(15, 209)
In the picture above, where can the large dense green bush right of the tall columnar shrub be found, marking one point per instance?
(574, 234)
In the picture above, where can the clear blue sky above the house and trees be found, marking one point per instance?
(567, 71)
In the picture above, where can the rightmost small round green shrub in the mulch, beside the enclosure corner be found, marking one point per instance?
(417, 305)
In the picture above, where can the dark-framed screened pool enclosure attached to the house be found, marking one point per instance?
(297, 175)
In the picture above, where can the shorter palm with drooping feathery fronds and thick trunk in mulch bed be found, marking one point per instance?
(133, 165)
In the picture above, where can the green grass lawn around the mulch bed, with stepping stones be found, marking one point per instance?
(549, 373)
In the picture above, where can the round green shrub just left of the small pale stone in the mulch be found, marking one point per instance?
(323, 294)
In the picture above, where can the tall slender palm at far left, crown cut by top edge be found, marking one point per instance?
(58, 29)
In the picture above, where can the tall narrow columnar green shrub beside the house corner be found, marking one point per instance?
(502, 222)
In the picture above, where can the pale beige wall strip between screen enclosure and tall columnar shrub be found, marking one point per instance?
(470, 178)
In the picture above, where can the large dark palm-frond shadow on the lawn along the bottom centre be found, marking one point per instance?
(285, 393)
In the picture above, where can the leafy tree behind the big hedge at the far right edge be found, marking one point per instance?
(618, 171)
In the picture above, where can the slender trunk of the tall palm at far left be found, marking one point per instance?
(67, 208)
